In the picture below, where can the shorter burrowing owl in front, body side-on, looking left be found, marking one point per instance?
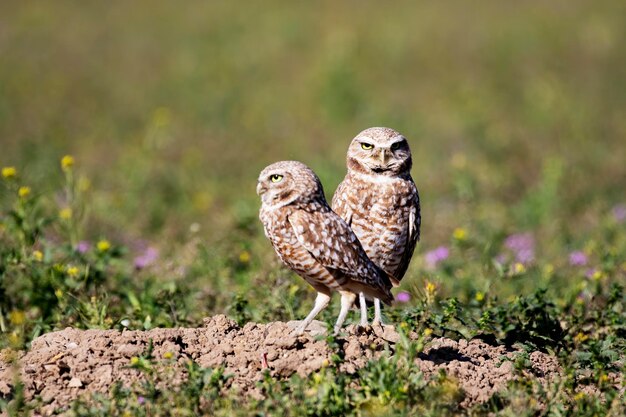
(314, 241)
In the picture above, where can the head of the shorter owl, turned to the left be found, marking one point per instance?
(286, 182)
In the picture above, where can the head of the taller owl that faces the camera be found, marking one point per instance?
(380, 151)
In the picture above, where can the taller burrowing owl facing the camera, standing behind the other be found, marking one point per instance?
(380, 202)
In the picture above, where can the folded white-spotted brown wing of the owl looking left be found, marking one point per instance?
(329, 239)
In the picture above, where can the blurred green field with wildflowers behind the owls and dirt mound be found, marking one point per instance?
(515, 113)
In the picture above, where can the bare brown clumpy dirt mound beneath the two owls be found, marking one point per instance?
(62, 365)
